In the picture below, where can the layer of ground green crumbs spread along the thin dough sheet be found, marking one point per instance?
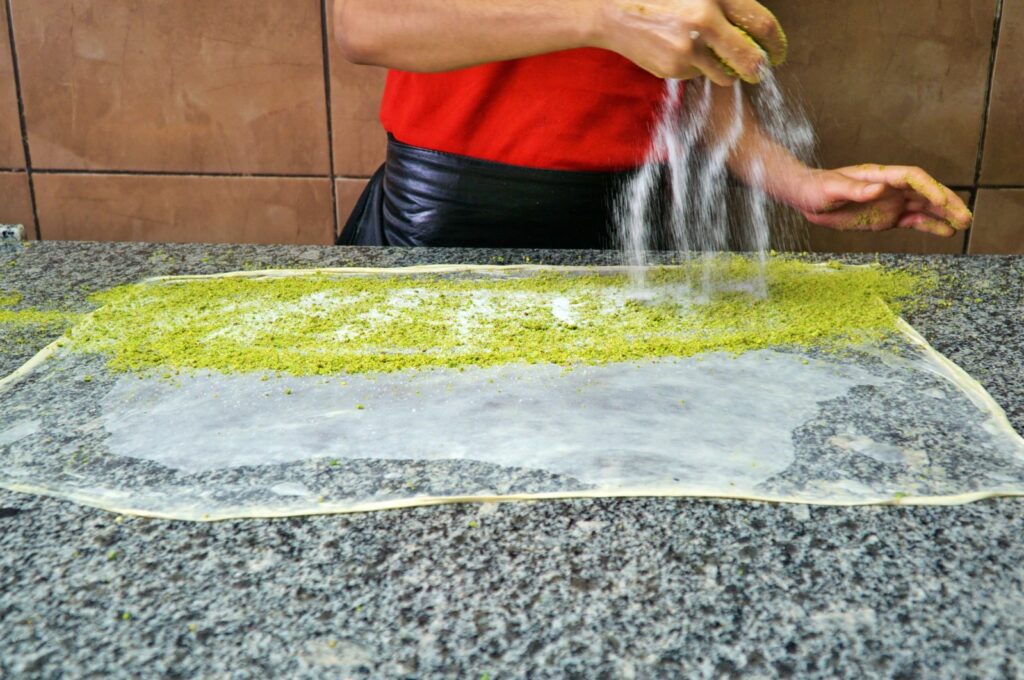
(321, 324)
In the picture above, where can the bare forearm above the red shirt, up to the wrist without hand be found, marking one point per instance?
(443, 35)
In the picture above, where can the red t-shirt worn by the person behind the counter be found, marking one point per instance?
(583, 109)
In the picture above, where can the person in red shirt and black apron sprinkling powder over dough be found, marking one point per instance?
(511, 122)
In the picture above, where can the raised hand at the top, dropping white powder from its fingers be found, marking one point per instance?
(686, 39)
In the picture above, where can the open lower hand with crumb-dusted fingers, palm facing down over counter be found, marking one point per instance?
(875, 198)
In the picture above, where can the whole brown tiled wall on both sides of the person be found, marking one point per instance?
(219, 120)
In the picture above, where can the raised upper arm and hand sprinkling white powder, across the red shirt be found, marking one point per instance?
(670, 38)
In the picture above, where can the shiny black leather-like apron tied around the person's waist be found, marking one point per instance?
(422, 197)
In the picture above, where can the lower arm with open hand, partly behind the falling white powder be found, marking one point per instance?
(866, 197)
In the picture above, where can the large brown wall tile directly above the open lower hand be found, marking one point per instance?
(893, 82)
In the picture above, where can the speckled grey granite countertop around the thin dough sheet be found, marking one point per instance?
(604, 588)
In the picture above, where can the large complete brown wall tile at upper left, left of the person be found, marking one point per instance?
(225, 87)
